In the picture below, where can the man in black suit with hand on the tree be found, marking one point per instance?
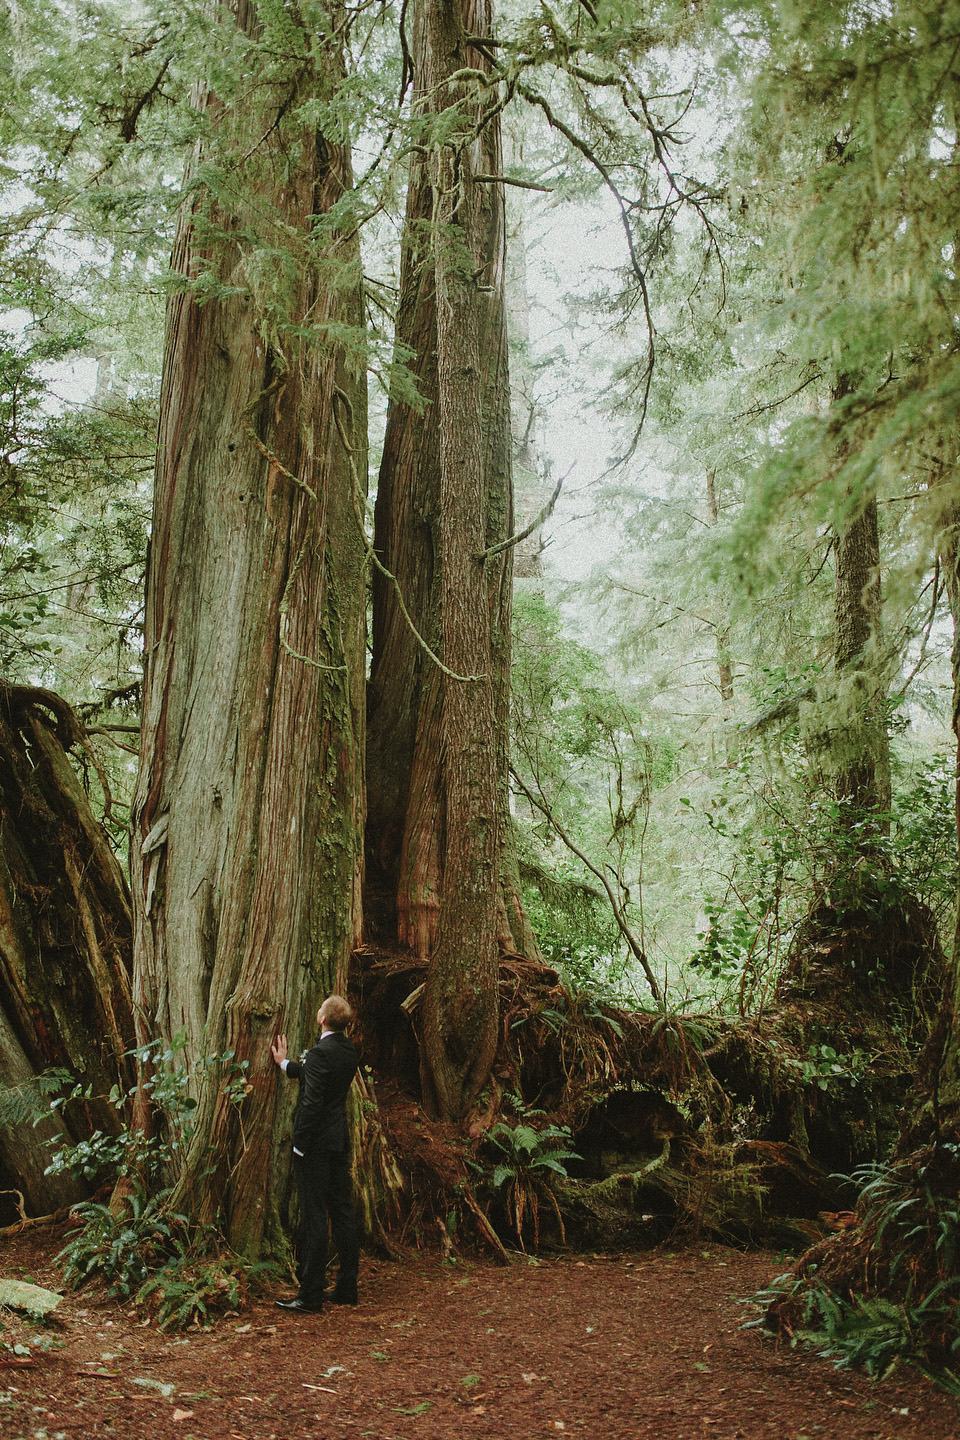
(322, 1158)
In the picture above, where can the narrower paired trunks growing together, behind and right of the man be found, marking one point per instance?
(441, 875)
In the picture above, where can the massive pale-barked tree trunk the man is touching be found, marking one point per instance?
(248, 816)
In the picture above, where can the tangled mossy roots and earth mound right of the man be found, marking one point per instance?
(699, 1122)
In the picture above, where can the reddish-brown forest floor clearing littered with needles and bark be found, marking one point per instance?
(598, 1347)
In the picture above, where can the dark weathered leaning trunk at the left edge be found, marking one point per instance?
(65, 941)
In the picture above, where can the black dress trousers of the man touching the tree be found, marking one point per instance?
(325, 1190)
